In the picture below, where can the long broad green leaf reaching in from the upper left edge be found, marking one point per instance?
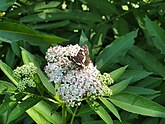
(10, 32)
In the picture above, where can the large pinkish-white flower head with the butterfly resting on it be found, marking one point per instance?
(71, 69)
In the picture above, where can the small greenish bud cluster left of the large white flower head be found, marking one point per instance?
(25, 74)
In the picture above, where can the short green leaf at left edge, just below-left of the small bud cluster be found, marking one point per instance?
(6, 87)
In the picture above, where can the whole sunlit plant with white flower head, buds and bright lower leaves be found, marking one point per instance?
(67, 83)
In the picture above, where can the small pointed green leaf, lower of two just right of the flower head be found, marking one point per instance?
(117, 88)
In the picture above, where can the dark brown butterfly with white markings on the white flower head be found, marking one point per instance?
(81, 59)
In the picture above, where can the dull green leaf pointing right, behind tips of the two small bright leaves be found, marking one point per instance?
(135, 74)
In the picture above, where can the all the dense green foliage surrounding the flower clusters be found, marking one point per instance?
(126, 39)
